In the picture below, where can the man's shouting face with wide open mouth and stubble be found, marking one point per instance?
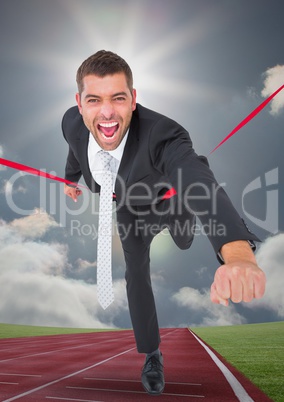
(106, 105)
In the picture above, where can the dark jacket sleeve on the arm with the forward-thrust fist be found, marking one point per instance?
(196, 186)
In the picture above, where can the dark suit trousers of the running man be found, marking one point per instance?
(137, 227)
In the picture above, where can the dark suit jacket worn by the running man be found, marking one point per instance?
(158, 155)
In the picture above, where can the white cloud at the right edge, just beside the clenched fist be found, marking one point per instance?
(270, 257)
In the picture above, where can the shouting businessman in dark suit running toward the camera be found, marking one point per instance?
(160, 182)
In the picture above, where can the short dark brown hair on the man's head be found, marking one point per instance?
(103, 63)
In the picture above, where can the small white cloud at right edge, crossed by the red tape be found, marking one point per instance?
(274, 79)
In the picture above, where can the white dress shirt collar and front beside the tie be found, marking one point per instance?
(94, 160)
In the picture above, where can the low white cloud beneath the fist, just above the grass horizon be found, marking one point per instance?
(212, 315)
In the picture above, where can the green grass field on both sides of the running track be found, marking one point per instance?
(257, 350)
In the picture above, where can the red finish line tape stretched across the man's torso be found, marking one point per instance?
(169, 193)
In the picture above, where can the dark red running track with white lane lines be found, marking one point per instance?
(104, 366)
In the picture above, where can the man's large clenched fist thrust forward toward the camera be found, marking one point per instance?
(240, 278)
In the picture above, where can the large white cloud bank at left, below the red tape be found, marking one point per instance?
(35, 288)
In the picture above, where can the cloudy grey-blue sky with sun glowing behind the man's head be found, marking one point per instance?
(206, 64)
